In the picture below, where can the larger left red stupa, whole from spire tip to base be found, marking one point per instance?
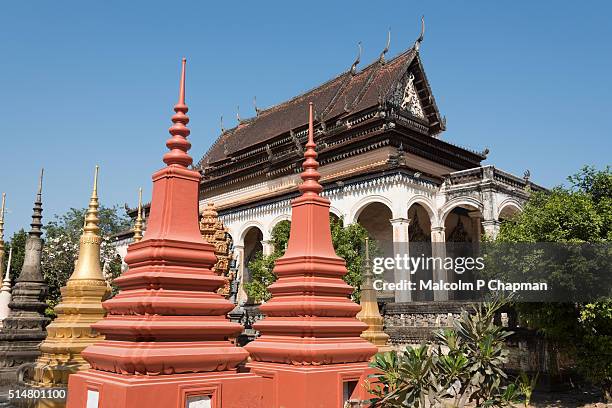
(167, 329)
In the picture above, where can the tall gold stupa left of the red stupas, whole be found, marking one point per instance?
(79, 308)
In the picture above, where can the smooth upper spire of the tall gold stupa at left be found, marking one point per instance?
(88, 264)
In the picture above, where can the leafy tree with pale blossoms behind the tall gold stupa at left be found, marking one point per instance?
(61, 247)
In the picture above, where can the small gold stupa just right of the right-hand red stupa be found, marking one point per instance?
(369, 313)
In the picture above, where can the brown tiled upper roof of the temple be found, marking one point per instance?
(346, 94)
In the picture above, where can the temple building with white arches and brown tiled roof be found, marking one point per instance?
(383, 164)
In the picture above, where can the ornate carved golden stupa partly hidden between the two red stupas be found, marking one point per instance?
(215, 233)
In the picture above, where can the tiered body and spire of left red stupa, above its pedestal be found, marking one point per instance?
(167, 318)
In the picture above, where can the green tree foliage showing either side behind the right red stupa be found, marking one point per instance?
(348, 242)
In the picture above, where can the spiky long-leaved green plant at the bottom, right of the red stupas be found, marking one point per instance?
(464, 364)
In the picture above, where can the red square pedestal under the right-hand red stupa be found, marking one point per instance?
(324, 386)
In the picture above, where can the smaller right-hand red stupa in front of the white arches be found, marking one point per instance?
(310, 338)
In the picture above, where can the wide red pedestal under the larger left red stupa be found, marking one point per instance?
(227, 389)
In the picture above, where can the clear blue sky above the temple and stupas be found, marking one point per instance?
(85, 83)
